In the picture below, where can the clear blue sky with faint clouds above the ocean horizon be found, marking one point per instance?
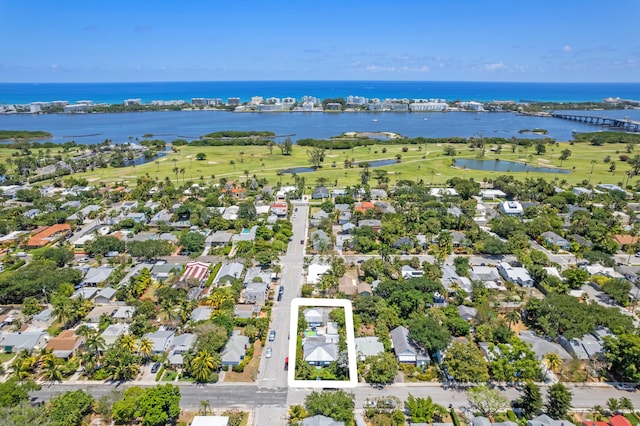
(438, 40)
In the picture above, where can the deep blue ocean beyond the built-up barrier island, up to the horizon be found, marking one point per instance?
(23, 93)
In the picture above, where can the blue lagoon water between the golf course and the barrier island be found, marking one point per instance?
(171, 125)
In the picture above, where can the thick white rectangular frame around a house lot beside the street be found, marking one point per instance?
(351, 344)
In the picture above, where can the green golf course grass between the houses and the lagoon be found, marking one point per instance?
(426, 162)
